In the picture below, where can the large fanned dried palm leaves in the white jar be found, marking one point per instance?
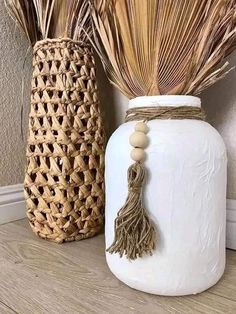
(159, 47)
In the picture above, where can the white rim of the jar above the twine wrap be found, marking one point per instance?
(165, 100)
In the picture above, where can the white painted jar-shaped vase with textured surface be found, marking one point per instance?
(185, 195)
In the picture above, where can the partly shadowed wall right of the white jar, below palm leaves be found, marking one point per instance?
(219, 103)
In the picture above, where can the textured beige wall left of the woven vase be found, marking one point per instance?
(13, 48)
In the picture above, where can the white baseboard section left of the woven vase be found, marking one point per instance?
(12, 203)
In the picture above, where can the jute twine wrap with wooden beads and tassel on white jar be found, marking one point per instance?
(134, 231)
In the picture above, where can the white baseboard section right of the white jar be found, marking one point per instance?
(231, 224)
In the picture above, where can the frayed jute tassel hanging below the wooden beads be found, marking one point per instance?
(134, 232)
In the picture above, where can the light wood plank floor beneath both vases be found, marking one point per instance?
(41, 277)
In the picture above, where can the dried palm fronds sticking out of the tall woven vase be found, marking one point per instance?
(42, 19)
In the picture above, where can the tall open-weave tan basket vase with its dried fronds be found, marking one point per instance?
(65, 151)
